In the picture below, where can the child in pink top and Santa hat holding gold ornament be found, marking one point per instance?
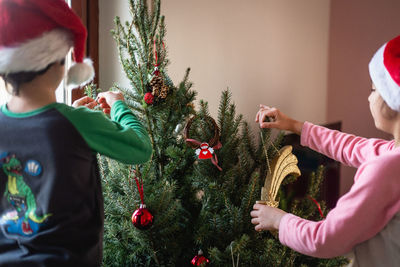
(366, 220)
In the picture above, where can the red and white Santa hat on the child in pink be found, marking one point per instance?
(384, 69)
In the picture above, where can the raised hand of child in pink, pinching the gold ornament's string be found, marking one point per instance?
(278, 120)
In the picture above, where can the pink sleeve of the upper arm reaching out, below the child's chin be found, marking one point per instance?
(346, 148)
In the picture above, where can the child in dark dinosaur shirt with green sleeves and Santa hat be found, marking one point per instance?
(51, 208)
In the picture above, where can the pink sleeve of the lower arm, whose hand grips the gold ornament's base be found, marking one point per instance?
(359, 215)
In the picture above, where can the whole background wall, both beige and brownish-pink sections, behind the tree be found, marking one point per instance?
(308, 58)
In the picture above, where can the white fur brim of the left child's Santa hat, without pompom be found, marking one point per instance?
(36, 54)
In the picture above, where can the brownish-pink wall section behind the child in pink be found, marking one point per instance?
(358, 29)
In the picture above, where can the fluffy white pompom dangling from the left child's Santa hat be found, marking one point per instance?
(80, 73)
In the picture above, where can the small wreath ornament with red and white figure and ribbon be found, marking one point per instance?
(205, 150)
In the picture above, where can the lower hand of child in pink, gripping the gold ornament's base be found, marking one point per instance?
(266, 217)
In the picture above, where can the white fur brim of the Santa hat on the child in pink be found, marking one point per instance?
(386, 86)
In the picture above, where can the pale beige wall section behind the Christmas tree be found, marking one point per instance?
(265, 51)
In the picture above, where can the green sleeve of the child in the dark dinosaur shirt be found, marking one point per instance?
(122, 138)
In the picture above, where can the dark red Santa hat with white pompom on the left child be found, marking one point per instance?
(36, 33)
